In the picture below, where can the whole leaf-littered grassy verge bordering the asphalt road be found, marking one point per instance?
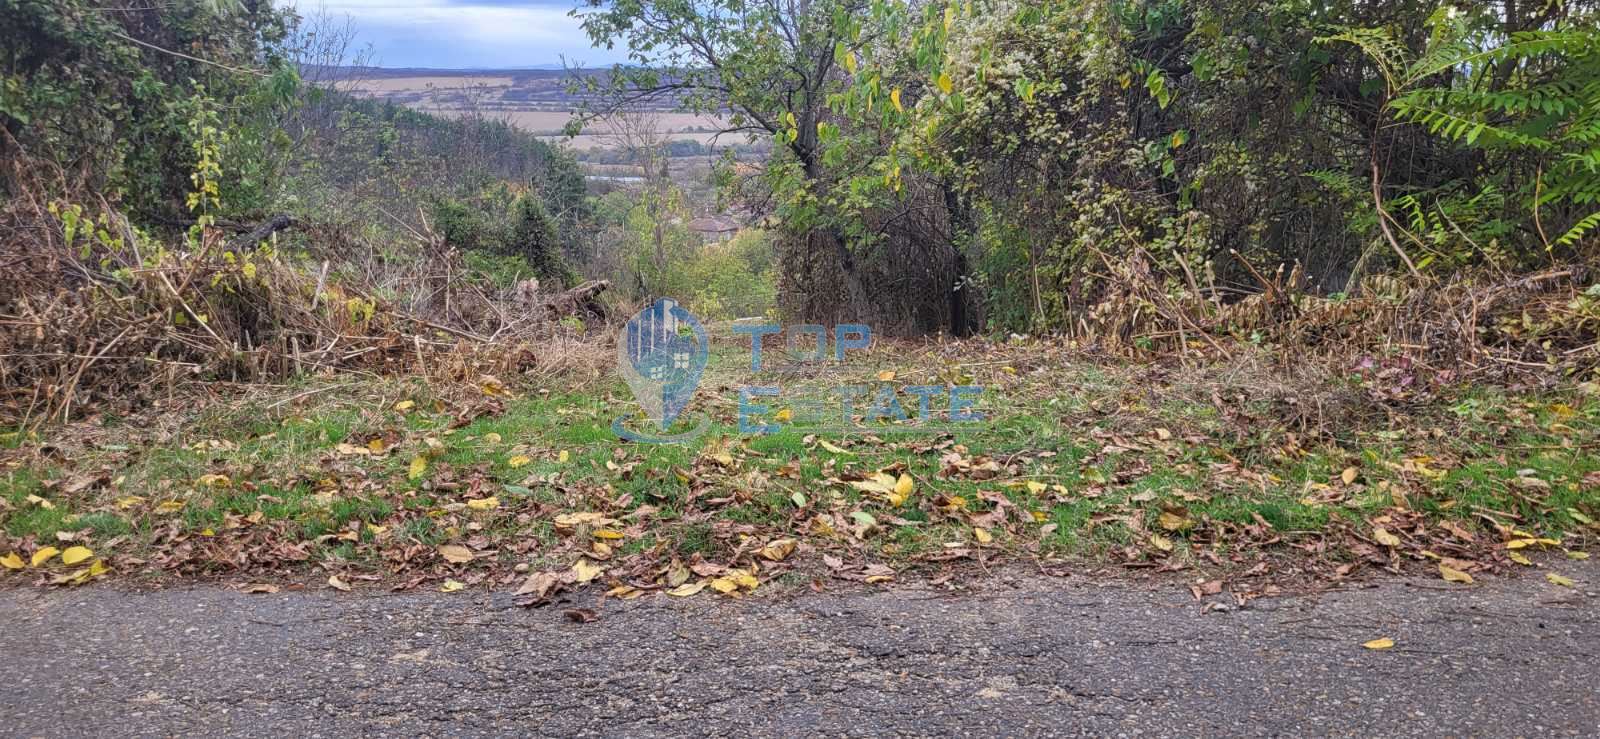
(1226, 469)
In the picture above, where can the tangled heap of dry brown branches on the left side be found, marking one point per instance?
(94, 314)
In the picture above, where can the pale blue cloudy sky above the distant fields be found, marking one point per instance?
(466, 33)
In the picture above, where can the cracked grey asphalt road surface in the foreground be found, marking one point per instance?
(1023, 657)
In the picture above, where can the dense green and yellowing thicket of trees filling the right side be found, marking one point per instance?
(1022, 166)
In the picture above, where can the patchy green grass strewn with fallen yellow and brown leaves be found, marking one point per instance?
(1119, 452)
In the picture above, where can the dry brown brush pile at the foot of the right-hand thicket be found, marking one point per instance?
(1471, 324)
